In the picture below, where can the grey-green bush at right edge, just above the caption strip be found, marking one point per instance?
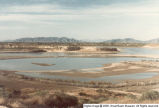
(150, 95)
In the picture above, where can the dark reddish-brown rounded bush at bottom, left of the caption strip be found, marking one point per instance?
(61, 100)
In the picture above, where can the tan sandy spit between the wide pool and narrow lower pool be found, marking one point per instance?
(113, 69)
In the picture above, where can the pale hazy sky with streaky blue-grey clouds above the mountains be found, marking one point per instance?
(81, 19)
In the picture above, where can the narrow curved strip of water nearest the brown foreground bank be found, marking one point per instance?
(113, 79)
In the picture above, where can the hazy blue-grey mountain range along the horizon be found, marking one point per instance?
(71, 40)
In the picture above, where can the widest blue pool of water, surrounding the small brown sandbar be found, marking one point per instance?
(61, 63)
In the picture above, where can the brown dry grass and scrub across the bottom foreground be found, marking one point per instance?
(46, 99)
